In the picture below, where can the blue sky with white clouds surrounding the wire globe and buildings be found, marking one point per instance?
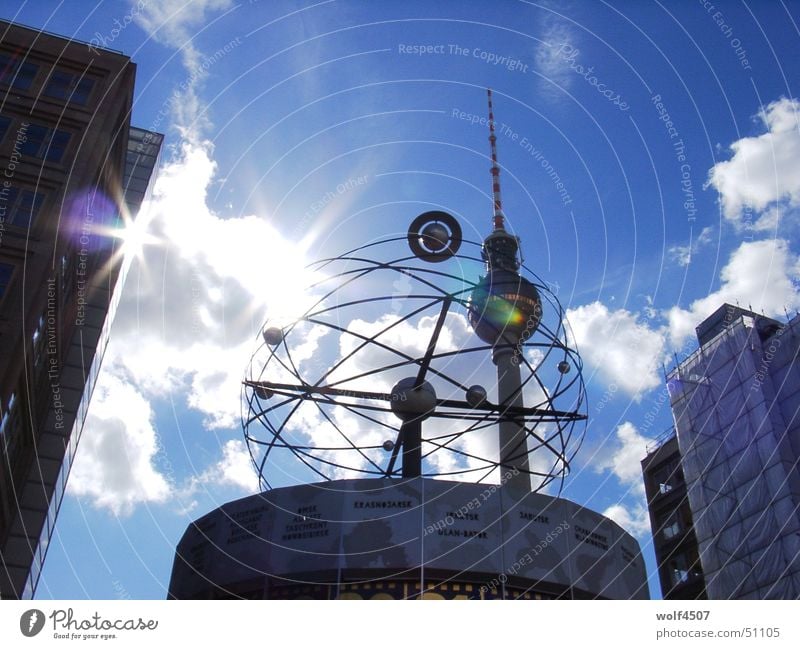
(651, 166)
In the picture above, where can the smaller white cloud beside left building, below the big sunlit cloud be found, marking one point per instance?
(115, 462)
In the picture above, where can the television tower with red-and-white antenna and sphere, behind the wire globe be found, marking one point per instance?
(505, 310)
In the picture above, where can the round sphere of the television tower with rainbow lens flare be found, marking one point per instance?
(504, 307)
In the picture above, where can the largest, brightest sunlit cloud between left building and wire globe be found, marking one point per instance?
(188, 329)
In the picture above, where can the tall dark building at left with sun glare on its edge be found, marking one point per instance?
(73, 171)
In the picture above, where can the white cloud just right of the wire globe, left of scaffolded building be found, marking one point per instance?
(625, 351)
